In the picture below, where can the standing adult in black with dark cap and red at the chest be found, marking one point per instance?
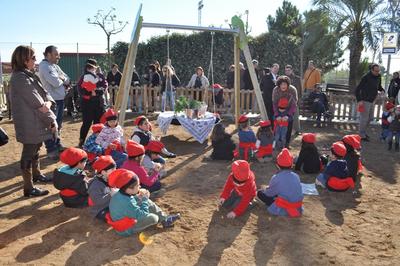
(91, 88)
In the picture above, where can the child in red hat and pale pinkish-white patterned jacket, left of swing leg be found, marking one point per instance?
(111, 137)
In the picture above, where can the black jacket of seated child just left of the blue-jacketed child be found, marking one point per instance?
(309, 161)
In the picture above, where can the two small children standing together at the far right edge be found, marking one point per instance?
(391, 125)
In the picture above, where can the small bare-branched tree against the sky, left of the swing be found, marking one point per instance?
(109, 24)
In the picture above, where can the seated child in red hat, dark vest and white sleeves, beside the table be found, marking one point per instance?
(142, 135)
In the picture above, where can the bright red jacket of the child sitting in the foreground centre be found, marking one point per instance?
(247, 191)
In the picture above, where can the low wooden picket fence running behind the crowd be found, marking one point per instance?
(143, 99)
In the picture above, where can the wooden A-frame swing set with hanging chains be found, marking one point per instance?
(240, 44)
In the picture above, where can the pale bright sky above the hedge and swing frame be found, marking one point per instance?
(64, 23)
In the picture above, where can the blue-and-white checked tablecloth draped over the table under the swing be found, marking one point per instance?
(198, 128)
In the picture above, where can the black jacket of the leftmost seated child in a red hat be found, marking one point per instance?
(74, 182)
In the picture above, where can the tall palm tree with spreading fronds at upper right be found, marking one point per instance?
(359, 21)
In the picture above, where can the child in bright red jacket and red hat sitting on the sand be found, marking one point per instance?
(239, 190)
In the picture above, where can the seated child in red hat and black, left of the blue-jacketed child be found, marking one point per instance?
(309, 159)
